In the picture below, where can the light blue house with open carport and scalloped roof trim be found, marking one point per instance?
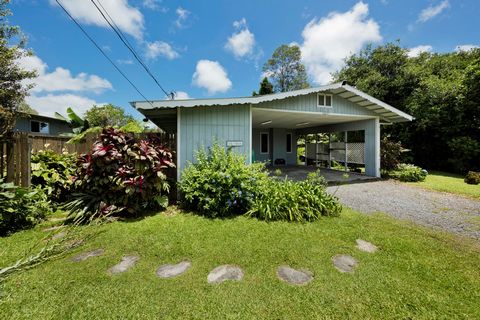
(266, 128)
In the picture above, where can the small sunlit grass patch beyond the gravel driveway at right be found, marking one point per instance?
(447, 182)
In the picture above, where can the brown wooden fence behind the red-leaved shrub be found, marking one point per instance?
(15, 153)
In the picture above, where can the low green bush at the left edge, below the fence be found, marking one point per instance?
(21, 208)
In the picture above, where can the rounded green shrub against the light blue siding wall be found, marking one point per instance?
(220, 184)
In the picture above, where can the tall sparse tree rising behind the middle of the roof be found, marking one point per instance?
(285, 69)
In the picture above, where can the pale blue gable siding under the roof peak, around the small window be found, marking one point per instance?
(308, 103)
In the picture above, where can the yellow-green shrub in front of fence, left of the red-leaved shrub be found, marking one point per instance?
(53, 172)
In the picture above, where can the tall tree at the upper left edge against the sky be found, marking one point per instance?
(13, 90)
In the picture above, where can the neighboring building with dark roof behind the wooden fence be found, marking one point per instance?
(42, 125)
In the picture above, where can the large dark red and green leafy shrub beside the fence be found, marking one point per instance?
(121, 174)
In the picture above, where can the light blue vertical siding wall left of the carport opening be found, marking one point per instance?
(202, 126)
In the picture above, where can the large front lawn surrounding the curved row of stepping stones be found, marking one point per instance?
(418, 273)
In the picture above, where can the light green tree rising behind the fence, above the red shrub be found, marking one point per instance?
(107, 116)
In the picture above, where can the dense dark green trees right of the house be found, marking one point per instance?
(442, 92)
